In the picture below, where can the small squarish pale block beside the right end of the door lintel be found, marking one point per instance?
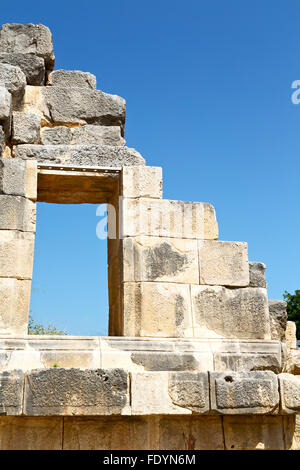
(142, 182)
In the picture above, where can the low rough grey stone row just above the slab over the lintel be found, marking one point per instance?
(82, 135)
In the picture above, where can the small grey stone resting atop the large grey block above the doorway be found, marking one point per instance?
(72, 78)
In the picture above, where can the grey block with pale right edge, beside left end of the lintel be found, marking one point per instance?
(18, 178)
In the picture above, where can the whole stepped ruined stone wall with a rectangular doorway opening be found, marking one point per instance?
(196, 357)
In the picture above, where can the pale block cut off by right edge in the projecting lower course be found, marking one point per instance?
(290, 393)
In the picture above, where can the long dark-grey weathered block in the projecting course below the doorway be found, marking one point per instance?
(76, 391)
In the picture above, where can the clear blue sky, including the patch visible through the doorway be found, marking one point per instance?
(208, 90)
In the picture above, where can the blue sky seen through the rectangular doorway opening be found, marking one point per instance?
(70, 286)
